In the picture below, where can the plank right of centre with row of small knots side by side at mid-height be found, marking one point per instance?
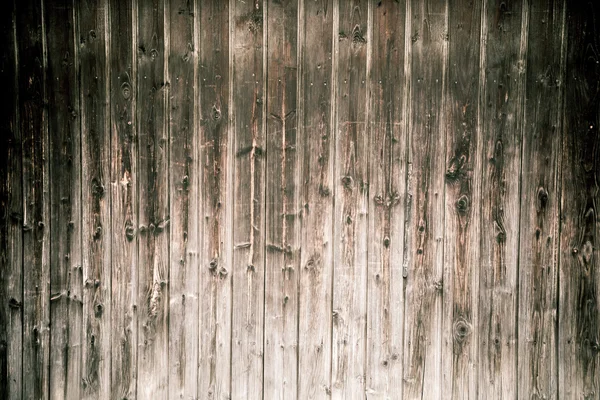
(385, 189)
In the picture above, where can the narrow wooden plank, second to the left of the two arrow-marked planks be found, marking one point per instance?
(183, 189)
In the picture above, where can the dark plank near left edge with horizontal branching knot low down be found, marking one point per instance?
(66, 280)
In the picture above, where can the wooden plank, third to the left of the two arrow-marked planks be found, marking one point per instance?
(153, 195)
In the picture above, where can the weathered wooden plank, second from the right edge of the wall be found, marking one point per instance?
(540, 202)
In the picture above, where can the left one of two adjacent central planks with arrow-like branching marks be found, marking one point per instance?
(248, 204)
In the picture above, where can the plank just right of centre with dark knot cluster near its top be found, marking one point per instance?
(351, 205)
